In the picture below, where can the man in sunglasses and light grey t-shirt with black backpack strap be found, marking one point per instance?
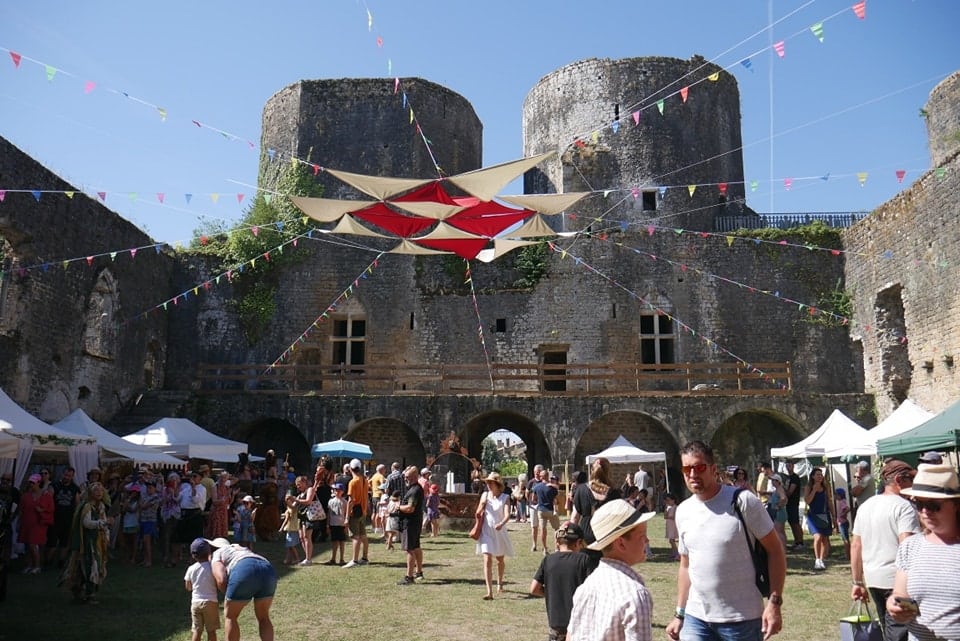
(717, 596)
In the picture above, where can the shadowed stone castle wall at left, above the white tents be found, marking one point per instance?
(70, 336)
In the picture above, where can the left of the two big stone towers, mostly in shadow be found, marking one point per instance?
(363, 126)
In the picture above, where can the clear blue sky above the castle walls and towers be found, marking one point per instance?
(849, 104)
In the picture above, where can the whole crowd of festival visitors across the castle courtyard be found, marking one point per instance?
(907, 530)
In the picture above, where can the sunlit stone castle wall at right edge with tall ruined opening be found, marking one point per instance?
(901, 267)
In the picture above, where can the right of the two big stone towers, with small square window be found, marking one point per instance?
(587, 112)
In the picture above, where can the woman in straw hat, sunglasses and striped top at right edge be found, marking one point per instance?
(924, 596)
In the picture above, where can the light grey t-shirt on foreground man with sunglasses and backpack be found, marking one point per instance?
(722, 579)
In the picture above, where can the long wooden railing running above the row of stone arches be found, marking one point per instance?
(518, 379)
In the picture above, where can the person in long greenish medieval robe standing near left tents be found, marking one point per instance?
(90, 538)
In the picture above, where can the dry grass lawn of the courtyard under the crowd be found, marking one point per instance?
(330, 604)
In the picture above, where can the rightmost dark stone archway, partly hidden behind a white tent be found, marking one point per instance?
(745, 438)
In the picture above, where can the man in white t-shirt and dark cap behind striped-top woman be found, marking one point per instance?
(881, 525)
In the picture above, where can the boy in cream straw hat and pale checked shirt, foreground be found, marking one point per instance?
(613, 604)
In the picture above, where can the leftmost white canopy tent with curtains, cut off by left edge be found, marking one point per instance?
(32, 434)
